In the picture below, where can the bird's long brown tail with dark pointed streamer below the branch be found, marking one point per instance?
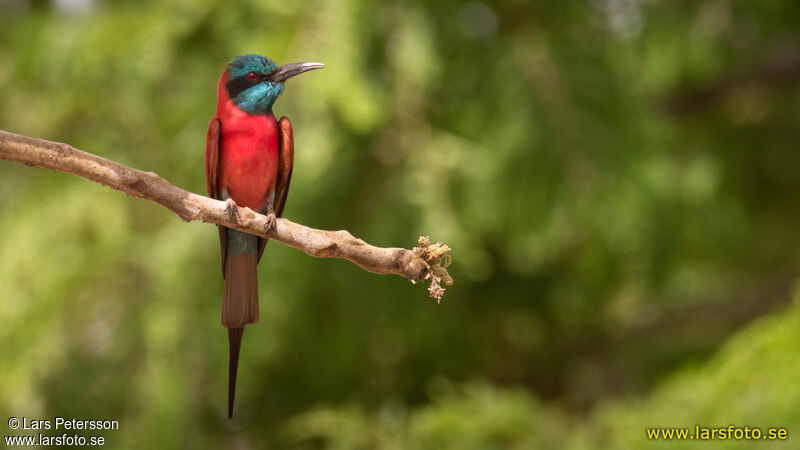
(240, 299)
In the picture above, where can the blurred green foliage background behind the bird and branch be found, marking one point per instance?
(618, 180)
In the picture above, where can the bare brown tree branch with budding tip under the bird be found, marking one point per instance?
(426, 262)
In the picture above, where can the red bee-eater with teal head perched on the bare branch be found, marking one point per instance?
(249, 158)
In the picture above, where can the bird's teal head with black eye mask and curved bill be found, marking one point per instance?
(255, 81)
